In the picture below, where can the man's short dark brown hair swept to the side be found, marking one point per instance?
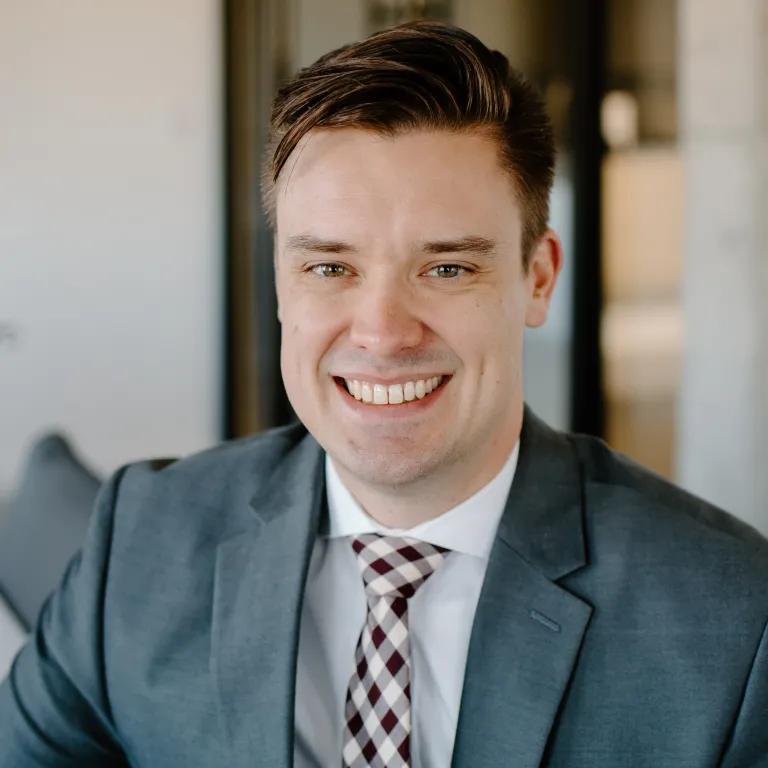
(421, 75)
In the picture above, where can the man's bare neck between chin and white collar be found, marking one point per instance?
(404, 507)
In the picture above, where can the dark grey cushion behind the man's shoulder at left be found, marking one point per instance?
(45, 525)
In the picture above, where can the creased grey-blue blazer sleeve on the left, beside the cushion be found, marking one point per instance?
(54, 707)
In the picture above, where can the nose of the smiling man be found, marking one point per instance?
(384, 320)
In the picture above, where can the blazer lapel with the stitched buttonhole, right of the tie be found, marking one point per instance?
(527, 630)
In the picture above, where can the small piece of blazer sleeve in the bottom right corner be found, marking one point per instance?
(748, 745)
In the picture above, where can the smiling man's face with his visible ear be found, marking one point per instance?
(398, 260)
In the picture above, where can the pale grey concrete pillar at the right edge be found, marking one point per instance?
(723, 411)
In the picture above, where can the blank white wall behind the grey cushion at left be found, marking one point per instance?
(110, 226)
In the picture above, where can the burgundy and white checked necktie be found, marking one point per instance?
(378, 708)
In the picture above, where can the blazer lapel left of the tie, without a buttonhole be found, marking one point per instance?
(259, 584)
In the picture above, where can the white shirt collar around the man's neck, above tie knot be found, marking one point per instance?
(469, 527)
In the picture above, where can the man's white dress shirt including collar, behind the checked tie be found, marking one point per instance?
(440, 617)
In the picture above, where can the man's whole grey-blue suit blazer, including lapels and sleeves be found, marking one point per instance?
(621, 622)
